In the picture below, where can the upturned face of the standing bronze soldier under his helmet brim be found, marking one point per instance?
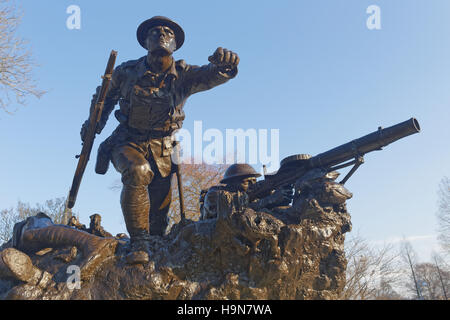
(161, 40)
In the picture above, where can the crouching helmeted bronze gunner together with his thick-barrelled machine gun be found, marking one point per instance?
(309, 177)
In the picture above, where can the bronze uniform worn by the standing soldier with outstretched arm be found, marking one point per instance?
(151, 110)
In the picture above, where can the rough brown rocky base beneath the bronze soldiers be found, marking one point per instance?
(285, 254)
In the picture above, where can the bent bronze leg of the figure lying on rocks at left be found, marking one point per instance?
(95, 250)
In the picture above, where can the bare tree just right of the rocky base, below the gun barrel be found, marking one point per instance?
(371, 272)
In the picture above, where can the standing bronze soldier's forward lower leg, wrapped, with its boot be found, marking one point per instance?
(135, 207)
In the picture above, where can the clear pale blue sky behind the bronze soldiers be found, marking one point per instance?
(311, 69)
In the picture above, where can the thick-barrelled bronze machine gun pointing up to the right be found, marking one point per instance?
(295, 167)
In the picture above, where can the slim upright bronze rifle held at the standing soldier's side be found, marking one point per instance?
(94, 118)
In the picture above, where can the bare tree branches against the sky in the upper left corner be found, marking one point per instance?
(16, 63)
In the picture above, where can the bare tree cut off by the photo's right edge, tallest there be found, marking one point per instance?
(443, 214)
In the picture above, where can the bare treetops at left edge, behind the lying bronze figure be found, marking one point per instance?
(54, 208)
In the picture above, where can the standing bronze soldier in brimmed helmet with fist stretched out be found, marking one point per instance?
(151, 92)
